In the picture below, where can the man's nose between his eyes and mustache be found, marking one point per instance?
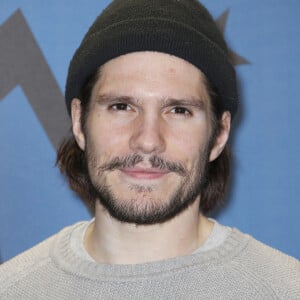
(148, 136)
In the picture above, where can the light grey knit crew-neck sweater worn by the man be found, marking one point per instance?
(240, 268)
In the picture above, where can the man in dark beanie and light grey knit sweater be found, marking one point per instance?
(152, 94)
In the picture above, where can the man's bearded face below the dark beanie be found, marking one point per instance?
(147, 136)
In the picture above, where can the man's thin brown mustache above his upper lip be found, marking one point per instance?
(131, 160)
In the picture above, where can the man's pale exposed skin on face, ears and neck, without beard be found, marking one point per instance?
(147, 103)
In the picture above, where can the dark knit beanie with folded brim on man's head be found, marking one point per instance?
(183, 28)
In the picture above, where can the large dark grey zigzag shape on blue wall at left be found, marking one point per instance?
(22, 63)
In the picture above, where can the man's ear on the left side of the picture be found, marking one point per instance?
(76, 123)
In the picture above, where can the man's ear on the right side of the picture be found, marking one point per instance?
(222, 138)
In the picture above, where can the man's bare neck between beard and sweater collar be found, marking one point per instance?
(109, 241)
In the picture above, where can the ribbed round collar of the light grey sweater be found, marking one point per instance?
(66, 259)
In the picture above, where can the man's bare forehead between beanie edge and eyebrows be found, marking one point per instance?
(151, 74)
